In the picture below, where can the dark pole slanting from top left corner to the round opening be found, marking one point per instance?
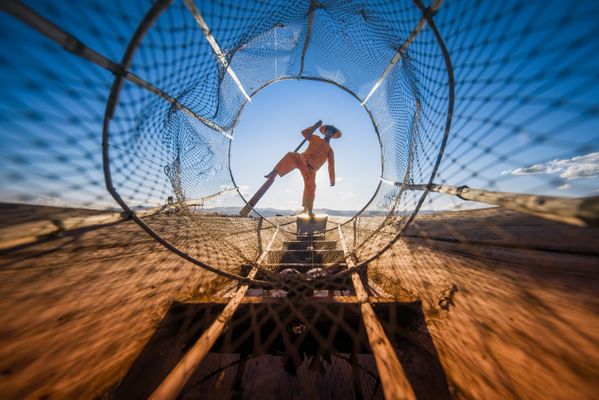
(78, 48)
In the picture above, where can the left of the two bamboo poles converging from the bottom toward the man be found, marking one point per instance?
(174, 383)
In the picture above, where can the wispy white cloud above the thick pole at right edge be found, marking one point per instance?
(578, 167)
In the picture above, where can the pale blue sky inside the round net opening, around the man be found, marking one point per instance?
(270, 126)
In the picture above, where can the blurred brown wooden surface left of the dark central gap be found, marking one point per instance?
(76, 310)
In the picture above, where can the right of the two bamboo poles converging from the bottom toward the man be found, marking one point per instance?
(393, 378)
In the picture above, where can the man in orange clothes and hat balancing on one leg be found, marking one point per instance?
(309, 162)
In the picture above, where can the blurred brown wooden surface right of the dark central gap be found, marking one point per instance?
(509, 300)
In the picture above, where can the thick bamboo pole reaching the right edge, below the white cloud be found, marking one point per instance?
(582, 211)
